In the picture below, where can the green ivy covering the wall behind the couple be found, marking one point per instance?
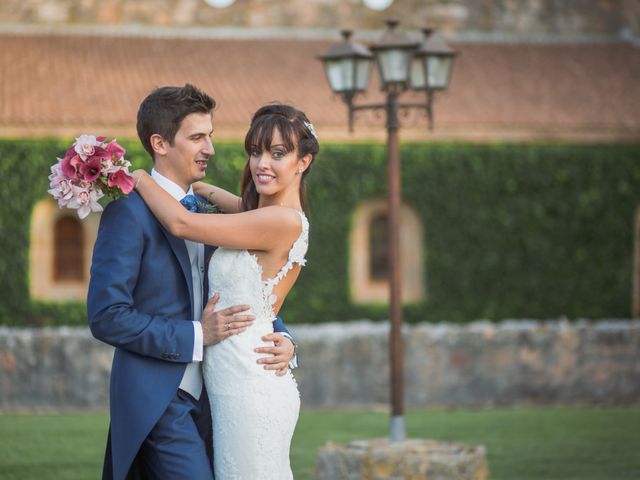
(511, 230)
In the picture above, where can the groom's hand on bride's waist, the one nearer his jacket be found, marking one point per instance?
(217, 326)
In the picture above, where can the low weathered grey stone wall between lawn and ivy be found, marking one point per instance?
(346, 364)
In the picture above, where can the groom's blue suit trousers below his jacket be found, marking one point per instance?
(179, 446)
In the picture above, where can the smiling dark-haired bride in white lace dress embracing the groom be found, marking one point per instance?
(263, 238)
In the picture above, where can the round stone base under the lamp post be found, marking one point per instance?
(414, 459)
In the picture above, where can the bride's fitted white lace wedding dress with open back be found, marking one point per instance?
(254, 411)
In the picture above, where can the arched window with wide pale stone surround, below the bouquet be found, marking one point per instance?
(60, 252)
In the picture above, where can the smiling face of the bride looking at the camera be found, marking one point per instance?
(275, 170)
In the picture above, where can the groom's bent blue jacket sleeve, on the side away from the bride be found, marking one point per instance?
(113, 317)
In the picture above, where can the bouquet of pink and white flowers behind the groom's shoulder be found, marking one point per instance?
(90, 169)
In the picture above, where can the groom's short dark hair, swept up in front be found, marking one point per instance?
(164, 109)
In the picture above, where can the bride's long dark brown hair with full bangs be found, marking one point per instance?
(296, 132)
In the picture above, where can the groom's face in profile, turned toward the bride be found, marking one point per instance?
(186, 160)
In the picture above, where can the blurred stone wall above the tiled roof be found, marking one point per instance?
(531, 16)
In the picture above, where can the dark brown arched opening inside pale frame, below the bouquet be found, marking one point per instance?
(68, 255)
